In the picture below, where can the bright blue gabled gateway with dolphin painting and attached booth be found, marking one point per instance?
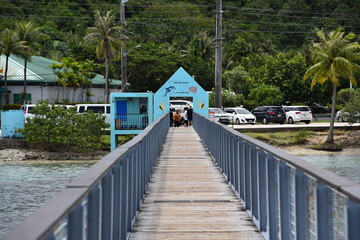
(133, 112)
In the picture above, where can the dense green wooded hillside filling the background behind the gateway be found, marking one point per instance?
(266, 43)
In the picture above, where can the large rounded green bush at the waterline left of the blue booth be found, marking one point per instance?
(56, 128)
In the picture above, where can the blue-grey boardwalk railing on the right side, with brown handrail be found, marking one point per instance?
(286, 197)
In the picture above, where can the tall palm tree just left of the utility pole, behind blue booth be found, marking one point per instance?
(108, 38)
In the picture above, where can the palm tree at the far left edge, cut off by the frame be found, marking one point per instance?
(10, 44)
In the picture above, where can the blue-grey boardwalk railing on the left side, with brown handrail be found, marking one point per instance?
(103, 202)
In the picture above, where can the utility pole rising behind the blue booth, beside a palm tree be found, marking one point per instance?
(124, 78)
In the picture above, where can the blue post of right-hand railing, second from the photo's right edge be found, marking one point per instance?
(323, 200)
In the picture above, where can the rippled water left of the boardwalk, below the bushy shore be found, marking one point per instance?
(27, 186)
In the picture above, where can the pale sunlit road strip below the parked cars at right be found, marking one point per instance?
(297, 125)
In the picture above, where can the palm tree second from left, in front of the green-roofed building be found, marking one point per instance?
(28, 33)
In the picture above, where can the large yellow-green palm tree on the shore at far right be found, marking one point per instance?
(334, 58)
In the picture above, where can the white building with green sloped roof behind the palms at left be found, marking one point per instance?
(42, 83)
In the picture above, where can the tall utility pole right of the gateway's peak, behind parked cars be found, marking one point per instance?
(218, 55)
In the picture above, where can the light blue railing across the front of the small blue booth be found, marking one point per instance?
(131, 121)
